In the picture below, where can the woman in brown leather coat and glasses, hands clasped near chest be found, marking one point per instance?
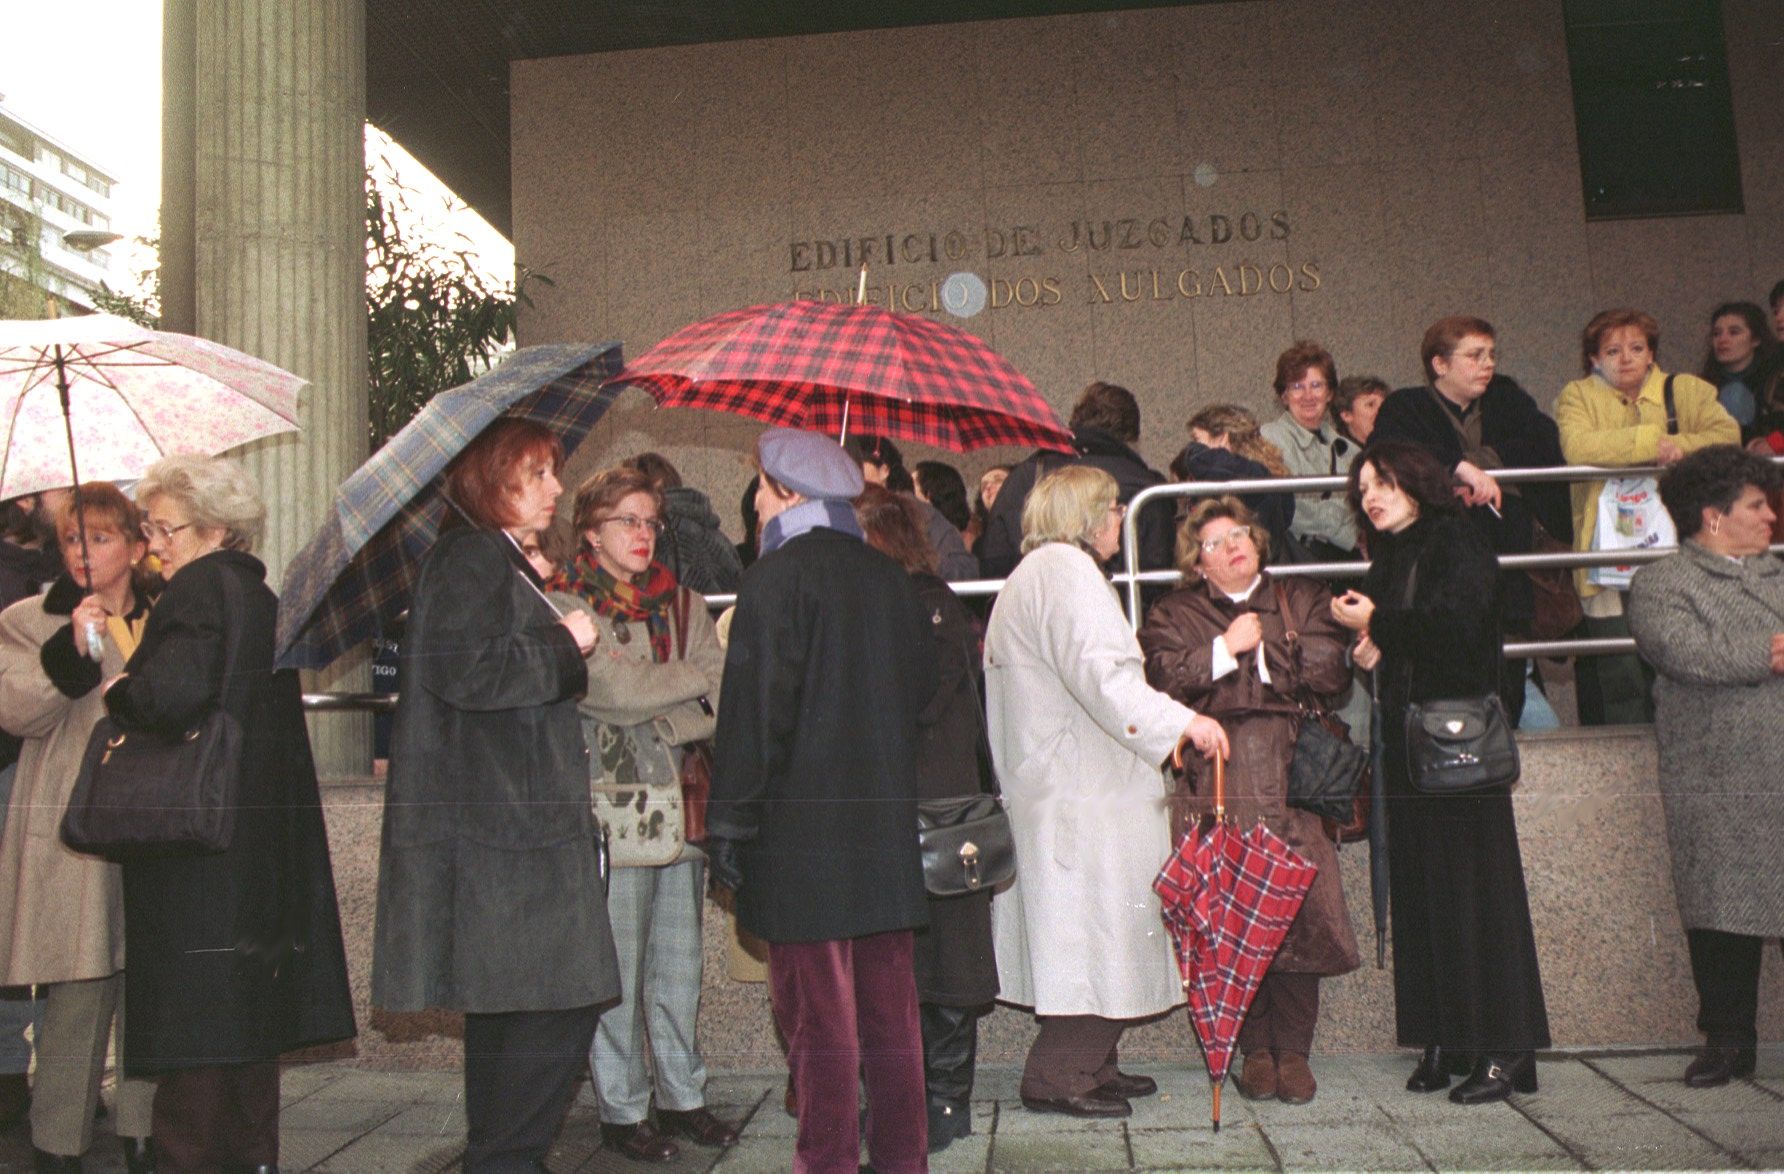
(1246, 649)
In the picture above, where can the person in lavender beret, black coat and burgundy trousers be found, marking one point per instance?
(814, 802)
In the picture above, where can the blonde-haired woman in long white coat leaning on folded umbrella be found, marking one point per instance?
(1080, 741)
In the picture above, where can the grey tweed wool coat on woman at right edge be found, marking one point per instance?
(1706, 627)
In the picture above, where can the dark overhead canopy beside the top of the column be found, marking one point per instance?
(438, 70)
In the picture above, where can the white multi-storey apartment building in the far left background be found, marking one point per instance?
(54, 215)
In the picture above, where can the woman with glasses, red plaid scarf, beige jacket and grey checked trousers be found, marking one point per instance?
(654, 688)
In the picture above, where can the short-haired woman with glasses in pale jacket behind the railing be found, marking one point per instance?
(1312, 447)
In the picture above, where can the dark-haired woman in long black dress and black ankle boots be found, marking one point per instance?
(1466, 980)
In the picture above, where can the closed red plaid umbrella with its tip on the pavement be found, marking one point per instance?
(1228, 900)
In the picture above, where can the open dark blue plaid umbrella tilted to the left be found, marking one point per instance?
(356, 575)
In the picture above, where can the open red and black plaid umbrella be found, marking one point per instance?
(830, 368)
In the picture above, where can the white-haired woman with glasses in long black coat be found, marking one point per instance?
(235, 957)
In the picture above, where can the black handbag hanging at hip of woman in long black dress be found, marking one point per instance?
(1458, 745)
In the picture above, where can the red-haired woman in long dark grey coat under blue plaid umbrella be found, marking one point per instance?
(490, 891)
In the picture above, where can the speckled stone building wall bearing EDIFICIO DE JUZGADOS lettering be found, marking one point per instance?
(1392, 160)
